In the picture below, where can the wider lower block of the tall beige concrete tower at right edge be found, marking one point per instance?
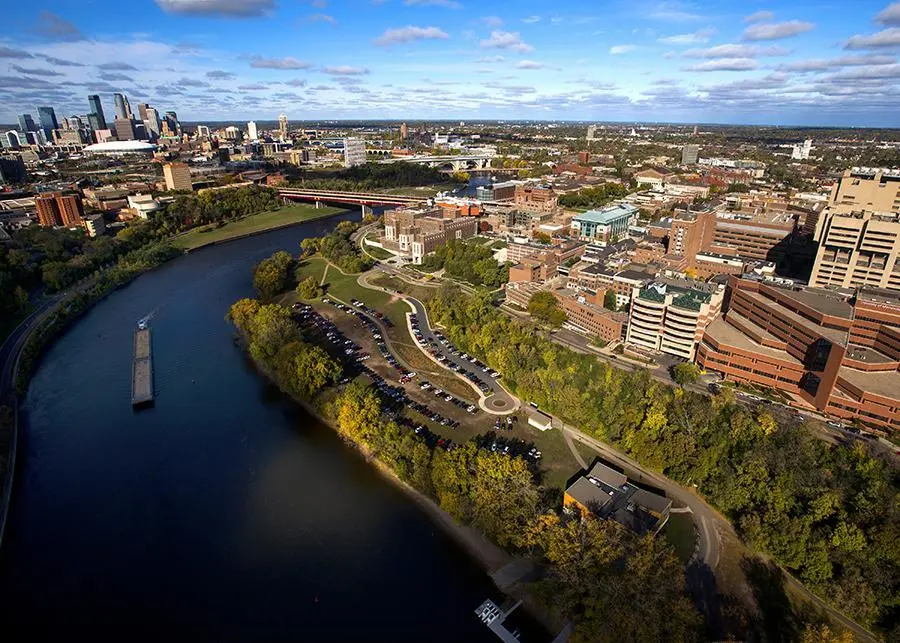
(857, 249)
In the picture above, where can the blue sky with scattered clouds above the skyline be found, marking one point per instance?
(803, 62)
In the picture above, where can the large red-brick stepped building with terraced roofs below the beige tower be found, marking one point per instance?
(838, 353)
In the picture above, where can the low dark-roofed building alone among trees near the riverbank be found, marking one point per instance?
(608, 494)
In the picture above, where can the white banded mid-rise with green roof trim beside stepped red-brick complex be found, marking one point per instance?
(670, 315)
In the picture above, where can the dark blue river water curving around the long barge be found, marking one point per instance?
(222, 513)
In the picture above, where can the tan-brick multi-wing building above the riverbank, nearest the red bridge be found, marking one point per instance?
(415, 232)
